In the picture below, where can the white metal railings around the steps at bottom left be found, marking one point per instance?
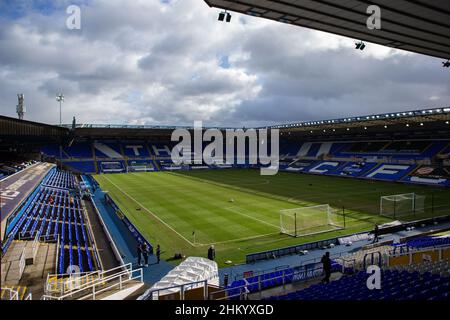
(95, 285)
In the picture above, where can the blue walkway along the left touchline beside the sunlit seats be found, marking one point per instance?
(125, 242)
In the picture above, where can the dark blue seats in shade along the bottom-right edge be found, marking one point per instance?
(396, 285)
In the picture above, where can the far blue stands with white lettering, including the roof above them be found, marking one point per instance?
(399, 154)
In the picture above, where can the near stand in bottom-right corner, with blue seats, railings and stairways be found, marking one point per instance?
(430, 278)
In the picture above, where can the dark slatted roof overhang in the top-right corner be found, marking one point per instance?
(421, 26)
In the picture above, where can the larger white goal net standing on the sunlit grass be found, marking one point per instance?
(310, 220)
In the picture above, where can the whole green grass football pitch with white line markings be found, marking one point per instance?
(168, 207)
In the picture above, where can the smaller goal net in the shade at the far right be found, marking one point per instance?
(402, 205)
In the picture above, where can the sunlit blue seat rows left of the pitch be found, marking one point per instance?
(56, 212)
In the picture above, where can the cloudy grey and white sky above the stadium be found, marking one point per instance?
(170, 62)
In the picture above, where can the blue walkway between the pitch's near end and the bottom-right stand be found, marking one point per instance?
(314, 255)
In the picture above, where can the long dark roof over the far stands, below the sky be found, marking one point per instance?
(427, 121)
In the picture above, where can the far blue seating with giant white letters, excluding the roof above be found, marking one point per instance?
(389, 161)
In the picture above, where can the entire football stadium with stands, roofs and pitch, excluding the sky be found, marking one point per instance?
(288, 210)
